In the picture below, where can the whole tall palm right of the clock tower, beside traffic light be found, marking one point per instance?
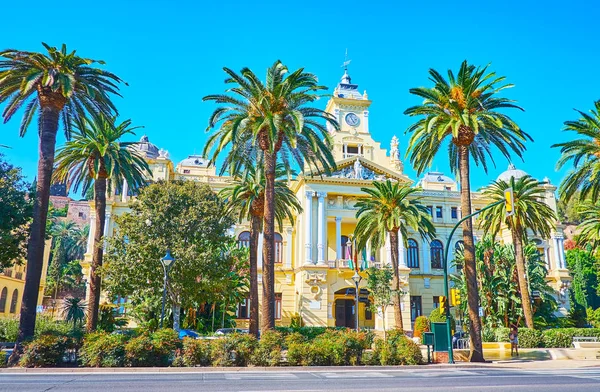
(464, 110)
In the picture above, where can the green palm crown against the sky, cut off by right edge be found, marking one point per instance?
(584, 153)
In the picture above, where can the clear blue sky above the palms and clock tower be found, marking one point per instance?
(172, 52)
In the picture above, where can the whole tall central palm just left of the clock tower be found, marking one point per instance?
(275, 118)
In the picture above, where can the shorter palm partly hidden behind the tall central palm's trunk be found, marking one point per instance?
(246, 196)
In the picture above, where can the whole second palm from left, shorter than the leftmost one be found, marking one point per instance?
(94, 156)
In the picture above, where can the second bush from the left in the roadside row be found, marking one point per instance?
(101, 349)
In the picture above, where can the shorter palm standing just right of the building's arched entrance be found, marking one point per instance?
(388, 210)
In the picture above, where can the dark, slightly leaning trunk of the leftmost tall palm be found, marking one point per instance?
(35, 246)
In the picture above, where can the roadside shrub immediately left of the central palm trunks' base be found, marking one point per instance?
(233, 350)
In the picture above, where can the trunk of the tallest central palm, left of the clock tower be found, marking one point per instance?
(268, 305)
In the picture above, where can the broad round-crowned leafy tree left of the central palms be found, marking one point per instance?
(191, 221)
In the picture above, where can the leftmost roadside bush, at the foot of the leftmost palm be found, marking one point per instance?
(45, 351)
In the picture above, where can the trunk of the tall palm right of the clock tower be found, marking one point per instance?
(470, 269)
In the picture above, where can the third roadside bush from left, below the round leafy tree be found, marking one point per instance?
(156, 349)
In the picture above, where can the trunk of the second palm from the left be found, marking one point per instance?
(97, 253)
